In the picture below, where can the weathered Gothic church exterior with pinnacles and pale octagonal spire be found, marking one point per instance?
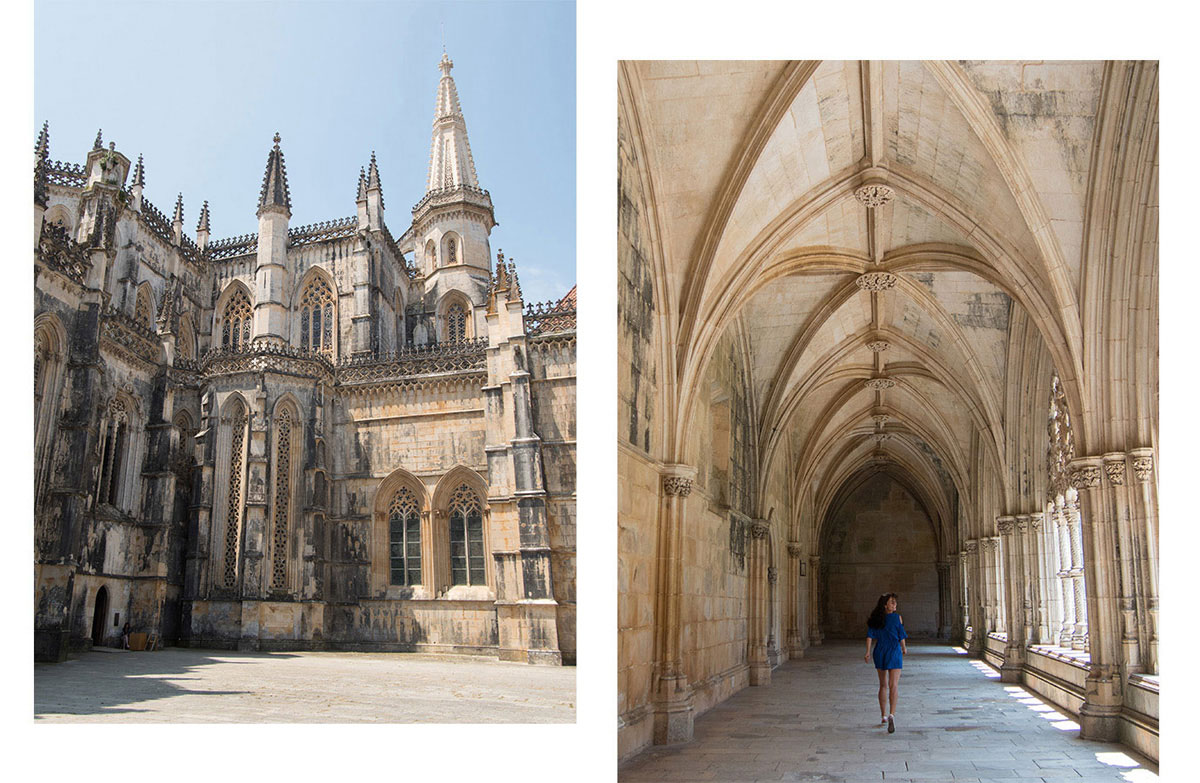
(316, 438)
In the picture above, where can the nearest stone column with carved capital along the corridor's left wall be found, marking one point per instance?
(673, 695)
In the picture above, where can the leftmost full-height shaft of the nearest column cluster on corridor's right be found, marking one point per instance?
(1100, 714)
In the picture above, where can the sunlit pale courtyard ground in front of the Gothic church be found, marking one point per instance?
(209, 686)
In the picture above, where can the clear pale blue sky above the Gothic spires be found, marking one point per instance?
(200, 89)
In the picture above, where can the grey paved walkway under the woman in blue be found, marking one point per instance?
(819, 721)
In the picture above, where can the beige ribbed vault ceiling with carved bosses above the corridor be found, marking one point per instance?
(754, 168)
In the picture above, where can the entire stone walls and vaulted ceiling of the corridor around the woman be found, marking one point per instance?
(895, 325)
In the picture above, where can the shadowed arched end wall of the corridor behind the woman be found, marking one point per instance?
(880, 541)
